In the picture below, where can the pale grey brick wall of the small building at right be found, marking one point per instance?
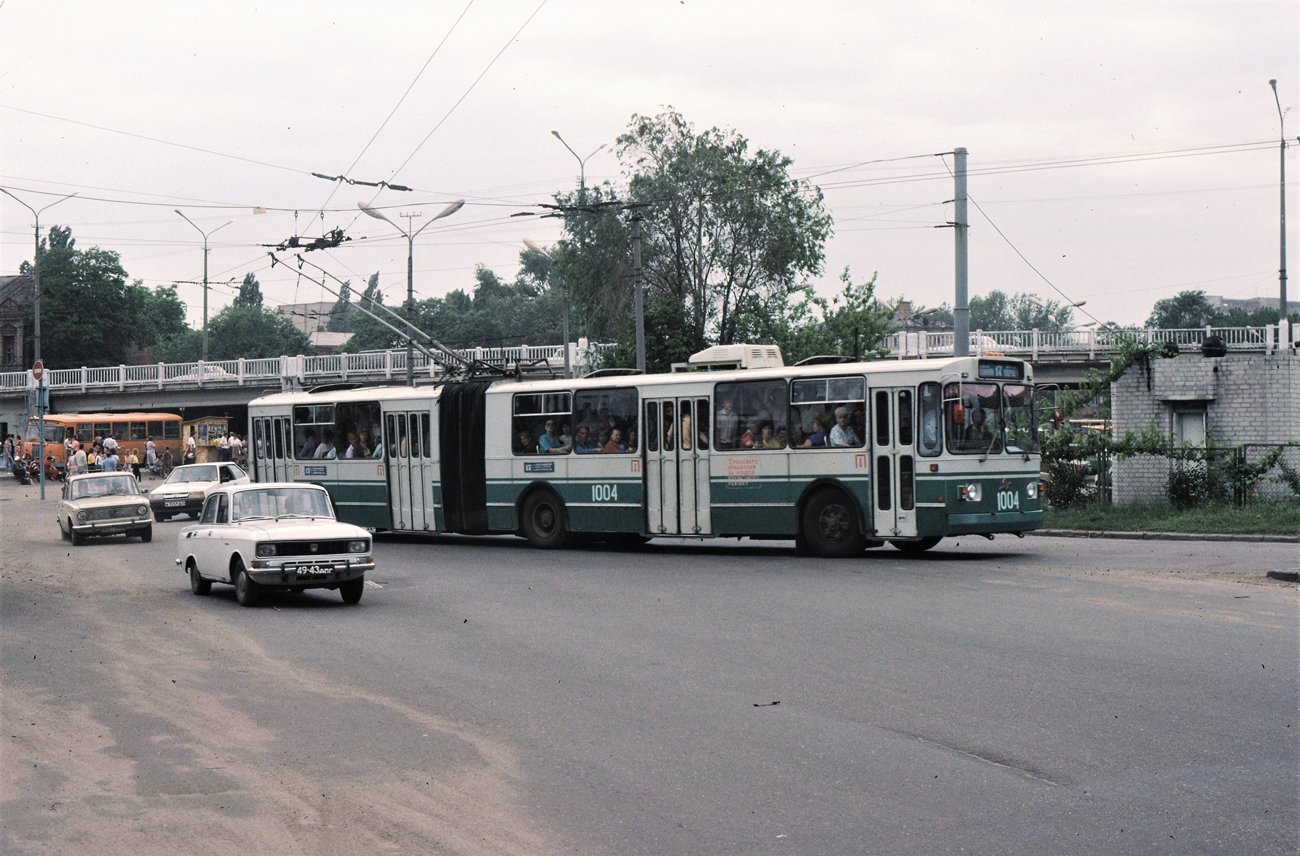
(1250, 399)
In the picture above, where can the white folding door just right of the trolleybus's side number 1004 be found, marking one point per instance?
(677, 466)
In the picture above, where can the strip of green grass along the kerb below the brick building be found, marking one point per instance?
(1260, 518)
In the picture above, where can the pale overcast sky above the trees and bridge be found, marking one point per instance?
(1120, 153)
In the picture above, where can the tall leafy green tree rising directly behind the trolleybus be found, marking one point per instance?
(729, 237)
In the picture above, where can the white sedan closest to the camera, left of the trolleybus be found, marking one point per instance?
(274, 537)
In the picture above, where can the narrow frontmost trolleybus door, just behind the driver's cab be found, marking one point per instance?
(895, 461)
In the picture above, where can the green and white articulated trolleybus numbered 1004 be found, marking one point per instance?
(839, 457)
